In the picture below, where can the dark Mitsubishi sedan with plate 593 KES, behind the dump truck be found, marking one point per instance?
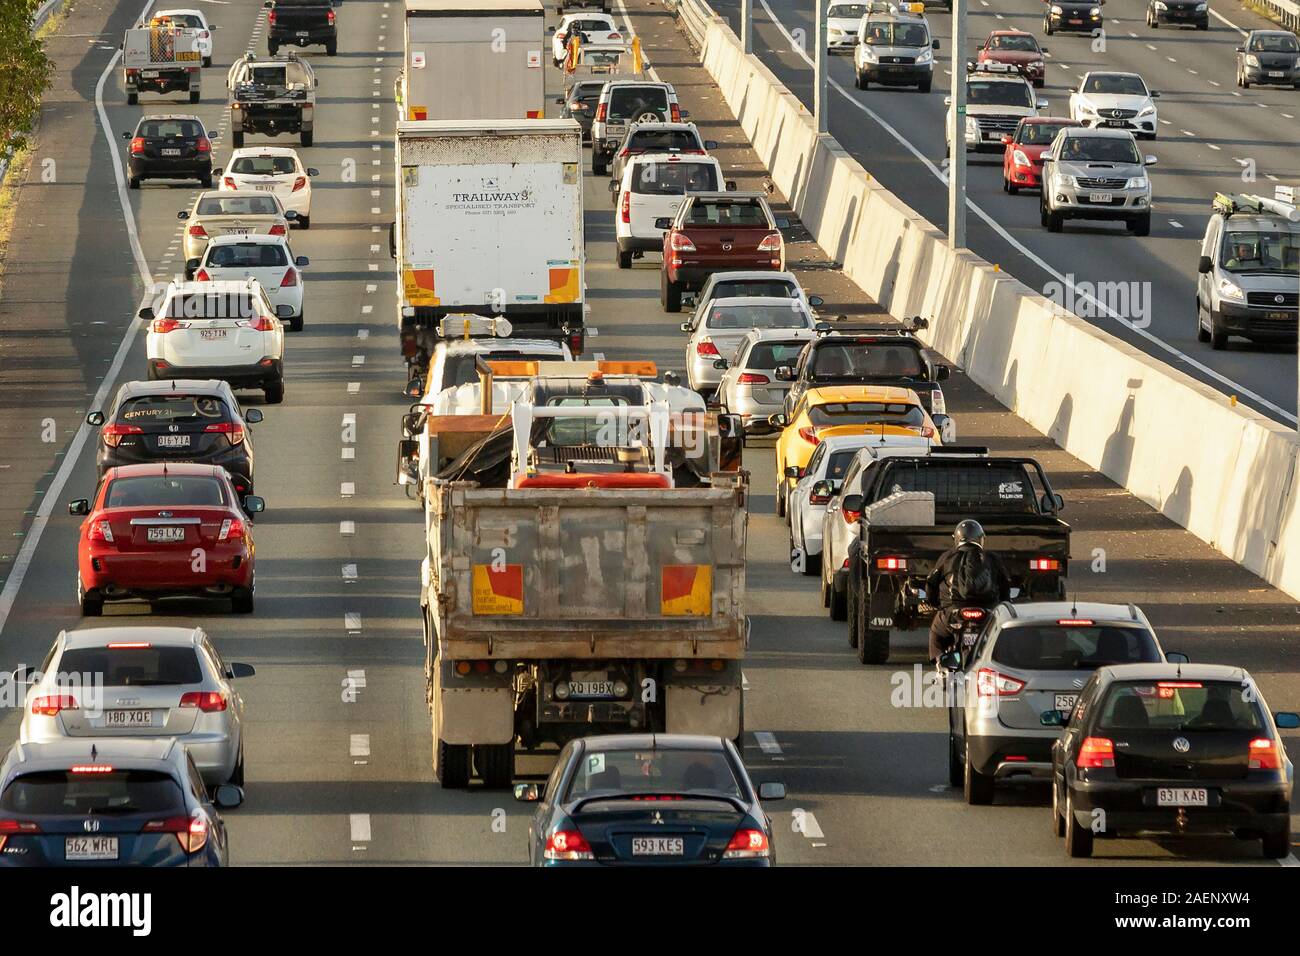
(651, 799)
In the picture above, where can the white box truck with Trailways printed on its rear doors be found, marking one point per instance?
(489, 223)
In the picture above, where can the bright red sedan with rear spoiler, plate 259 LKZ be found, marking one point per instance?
(166, 530)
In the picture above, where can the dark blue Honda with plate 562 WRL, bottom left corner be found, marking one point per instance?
(110, 803)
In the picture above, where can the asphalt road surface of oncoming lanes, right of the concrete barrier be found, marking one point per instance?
(1214, 137)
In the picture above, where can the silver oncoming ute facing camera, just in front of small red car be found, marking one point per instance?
(1097, 174)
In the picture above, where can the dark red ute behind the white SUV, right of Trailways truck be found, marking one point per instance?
(717, 232)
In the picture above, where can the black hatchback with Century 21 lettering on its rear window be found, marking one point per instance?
(177, 421)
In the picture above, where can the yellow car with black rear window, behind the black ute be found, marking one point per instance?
(883, 410)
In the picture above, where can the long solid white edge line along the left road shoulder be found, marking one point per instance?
(23, 564)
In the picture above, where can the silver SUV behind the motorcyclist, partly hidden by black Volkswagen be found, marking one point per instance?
(1032, 659)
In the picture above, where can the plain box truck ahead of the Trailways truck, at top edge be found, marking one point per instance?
(474, 60)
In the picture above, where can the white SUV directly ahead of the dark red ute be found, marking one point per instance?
(652, 188)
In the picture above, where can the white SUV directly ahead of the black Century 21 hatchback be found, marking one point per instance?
(226, 331)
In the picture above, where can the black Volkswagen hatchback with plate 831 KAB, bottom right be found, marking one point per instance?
(1176, 751)
